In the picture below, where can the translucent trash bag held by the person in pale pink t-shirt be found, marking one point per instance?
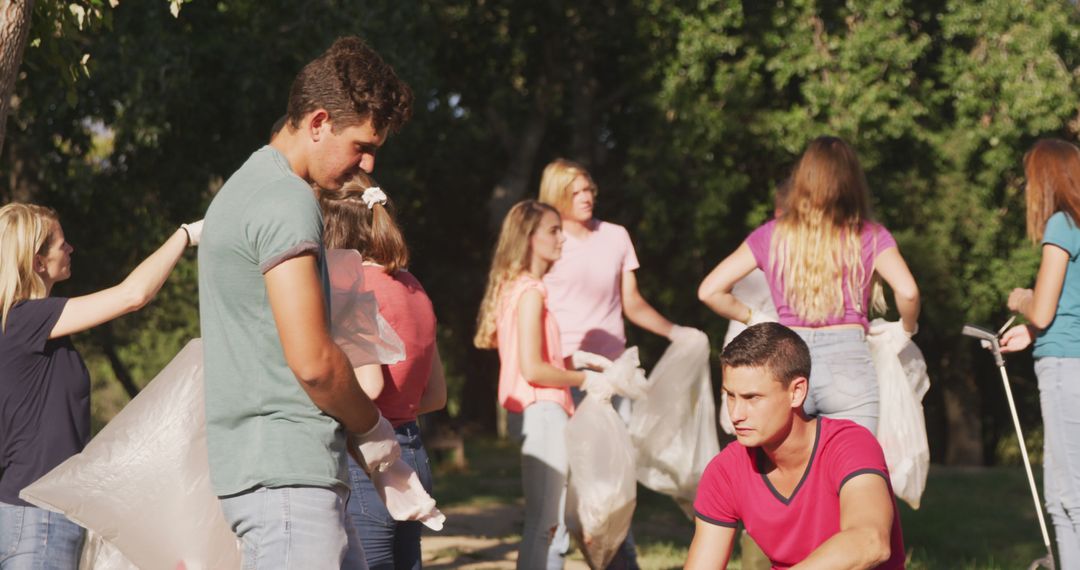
(673, 427)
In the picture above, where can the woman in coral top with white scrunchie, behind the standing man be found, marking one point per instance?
(359, 218)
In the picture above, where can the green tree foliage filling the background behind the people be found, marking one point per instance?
(688, 114)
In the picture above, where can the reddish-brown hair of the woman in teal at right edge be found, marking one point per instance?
(1052, 169)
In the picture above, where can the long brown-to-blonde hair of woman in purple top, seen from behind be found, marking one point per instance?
(819, 236)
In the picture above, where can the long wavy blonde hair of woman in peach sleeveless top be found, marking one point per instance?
(512, 257)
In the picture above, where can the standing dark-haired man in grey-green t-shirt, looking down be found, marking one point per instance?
(283, 405)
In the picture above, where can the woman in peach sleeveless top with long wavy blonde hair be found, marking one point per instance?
(534, 379)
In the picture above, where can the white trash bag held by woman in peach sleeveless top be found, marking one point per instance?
(603, 491)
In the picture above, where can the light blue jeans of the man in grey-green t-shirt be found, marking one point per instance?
(293, 527)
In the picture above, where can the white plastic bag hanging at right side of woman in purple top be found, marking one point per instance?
(902, 430)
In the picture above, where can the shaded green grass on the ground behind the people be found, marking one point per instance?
(971, 519)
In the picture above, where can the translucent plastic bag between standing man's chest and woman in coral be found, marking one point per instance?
(356, 324)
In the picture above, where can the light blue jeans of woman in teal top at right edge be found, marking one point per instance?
(1060, 399)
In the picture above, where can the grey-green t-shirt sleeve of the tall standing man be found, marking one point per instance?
(285, 223)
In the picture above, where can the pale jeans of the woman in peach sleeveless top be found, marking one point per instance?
(544, 478)
